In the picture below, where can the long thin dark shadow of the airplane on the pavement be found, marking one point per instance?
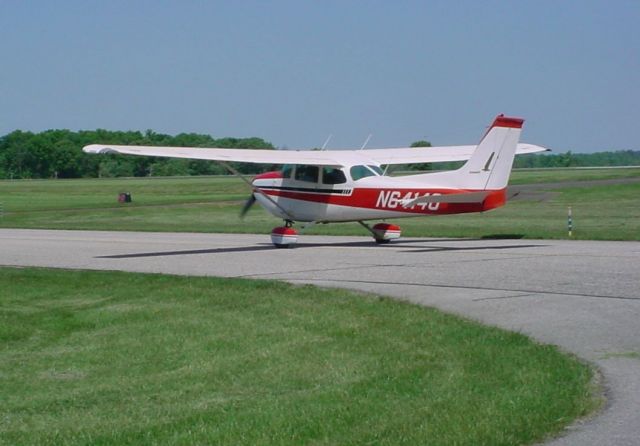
(409, 245)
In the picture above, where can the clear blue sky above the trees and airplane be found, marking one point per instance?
(294, 72)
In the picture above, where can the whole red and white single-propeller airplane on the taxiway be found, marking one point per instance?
(331, 186)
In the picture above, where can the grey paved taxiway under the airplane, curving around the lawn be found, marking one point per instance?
(582, 296)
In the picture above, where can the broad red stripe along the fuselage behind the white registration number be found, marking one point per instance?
(391, 200)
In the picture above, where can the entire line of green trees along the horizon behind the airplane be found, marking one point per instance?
(58, 154)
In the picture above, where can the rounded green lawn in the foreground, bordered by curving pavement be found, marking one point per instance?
(117, 358)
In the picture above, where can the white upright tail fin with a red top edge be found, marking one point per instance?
(490, 165)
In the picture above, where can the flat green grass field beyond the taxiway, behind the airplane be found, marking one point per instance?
(212, 204)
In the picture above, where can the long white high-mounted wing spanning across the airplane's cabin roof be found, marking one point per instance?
(333, 158)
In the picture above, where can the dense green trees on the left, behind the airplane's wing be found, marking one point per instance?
(58, 153)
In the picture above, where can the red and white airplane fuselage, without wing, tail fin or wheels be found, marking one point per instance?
(372, 197)
